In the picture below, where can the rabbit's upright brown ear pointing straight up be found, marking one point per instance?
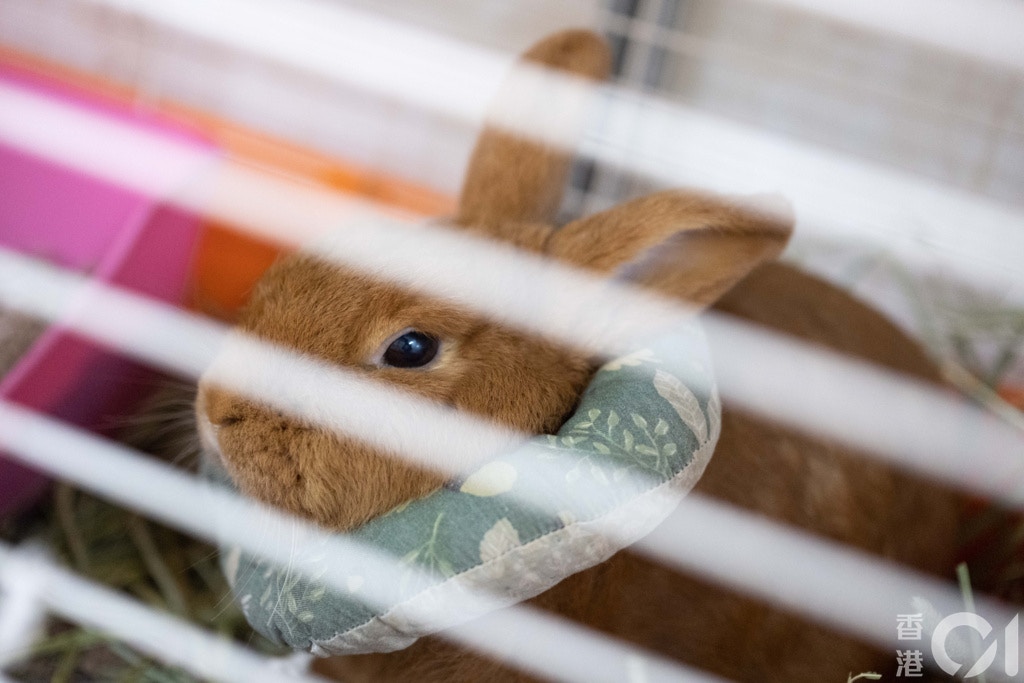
(515, 180)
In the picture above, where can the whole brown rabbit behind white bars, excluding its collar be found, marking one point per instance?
(689, 245)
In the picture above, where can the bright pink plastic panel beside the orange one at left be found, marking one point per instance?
(79, 223)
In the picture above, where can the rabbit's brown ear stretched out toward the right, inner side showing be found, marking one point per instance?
(691, 246)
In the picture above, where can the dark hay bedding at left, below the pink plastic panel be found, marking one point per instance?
(117, 548)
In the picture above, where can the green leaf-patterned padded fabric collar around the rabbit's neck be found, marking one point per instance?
(641, 439)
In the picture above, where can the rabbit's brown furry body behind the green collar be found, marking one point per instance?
(817, 485)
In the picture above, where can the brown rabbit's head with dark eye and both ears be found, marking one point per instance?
(685, 244)
